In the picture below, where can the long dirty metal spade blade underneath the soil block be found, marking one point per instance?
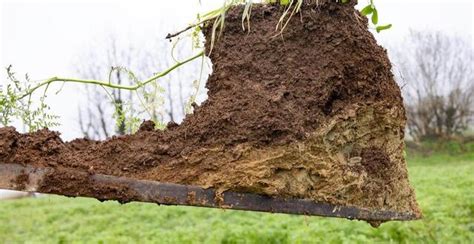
(174, 194)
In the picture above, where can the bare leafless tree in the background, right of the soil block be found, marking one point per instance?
(437, 77)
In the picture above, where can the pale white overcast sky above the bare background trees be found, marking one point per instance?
(44, 37)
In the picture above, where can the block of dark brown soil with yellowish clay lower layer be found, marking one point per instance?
(313, 113)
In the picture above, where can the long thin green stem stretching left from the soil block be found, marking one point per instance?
(108, 84)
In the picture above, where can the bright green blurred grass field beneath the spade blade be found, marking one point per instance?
(444, 186)
